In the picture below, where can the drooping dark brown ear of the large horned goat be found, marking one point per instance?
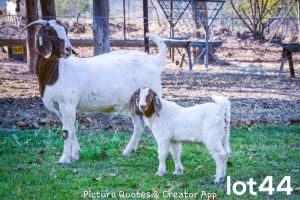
(43, 43)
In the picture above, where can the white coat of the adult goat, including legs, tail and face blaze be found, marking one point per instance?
(102, 83)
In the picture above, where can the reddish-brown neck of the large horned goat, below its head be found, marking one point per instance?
(47, 71)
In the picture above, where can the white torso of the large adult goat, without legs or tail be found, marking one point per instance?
(103, 83)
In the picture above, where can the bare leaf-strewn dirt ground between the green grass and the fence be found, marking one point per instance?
(256, 95)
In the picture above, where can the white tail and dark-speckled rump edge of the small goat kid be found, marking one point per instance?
(224, 110)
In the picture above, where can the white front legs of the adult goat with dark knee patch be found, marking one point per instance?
(71, 146)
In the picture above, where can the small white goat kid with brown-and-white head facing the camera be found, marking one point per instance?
(173, 125)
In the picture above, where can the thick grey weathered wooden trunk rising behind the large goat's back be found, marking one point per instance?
(101, 26)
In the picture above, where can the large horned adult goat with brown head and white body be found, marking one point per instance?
(102, 83)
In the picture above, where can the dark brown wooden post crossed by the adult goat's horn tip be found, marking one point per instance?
(31, 15)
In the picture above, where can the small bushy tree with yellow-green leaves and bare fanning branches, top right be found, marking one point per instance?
(257, 15)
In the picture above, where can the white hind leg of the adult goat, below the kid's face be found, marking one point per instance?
(139, 127)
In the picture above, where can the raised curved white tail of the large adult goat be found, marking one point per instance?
(162, 55)
